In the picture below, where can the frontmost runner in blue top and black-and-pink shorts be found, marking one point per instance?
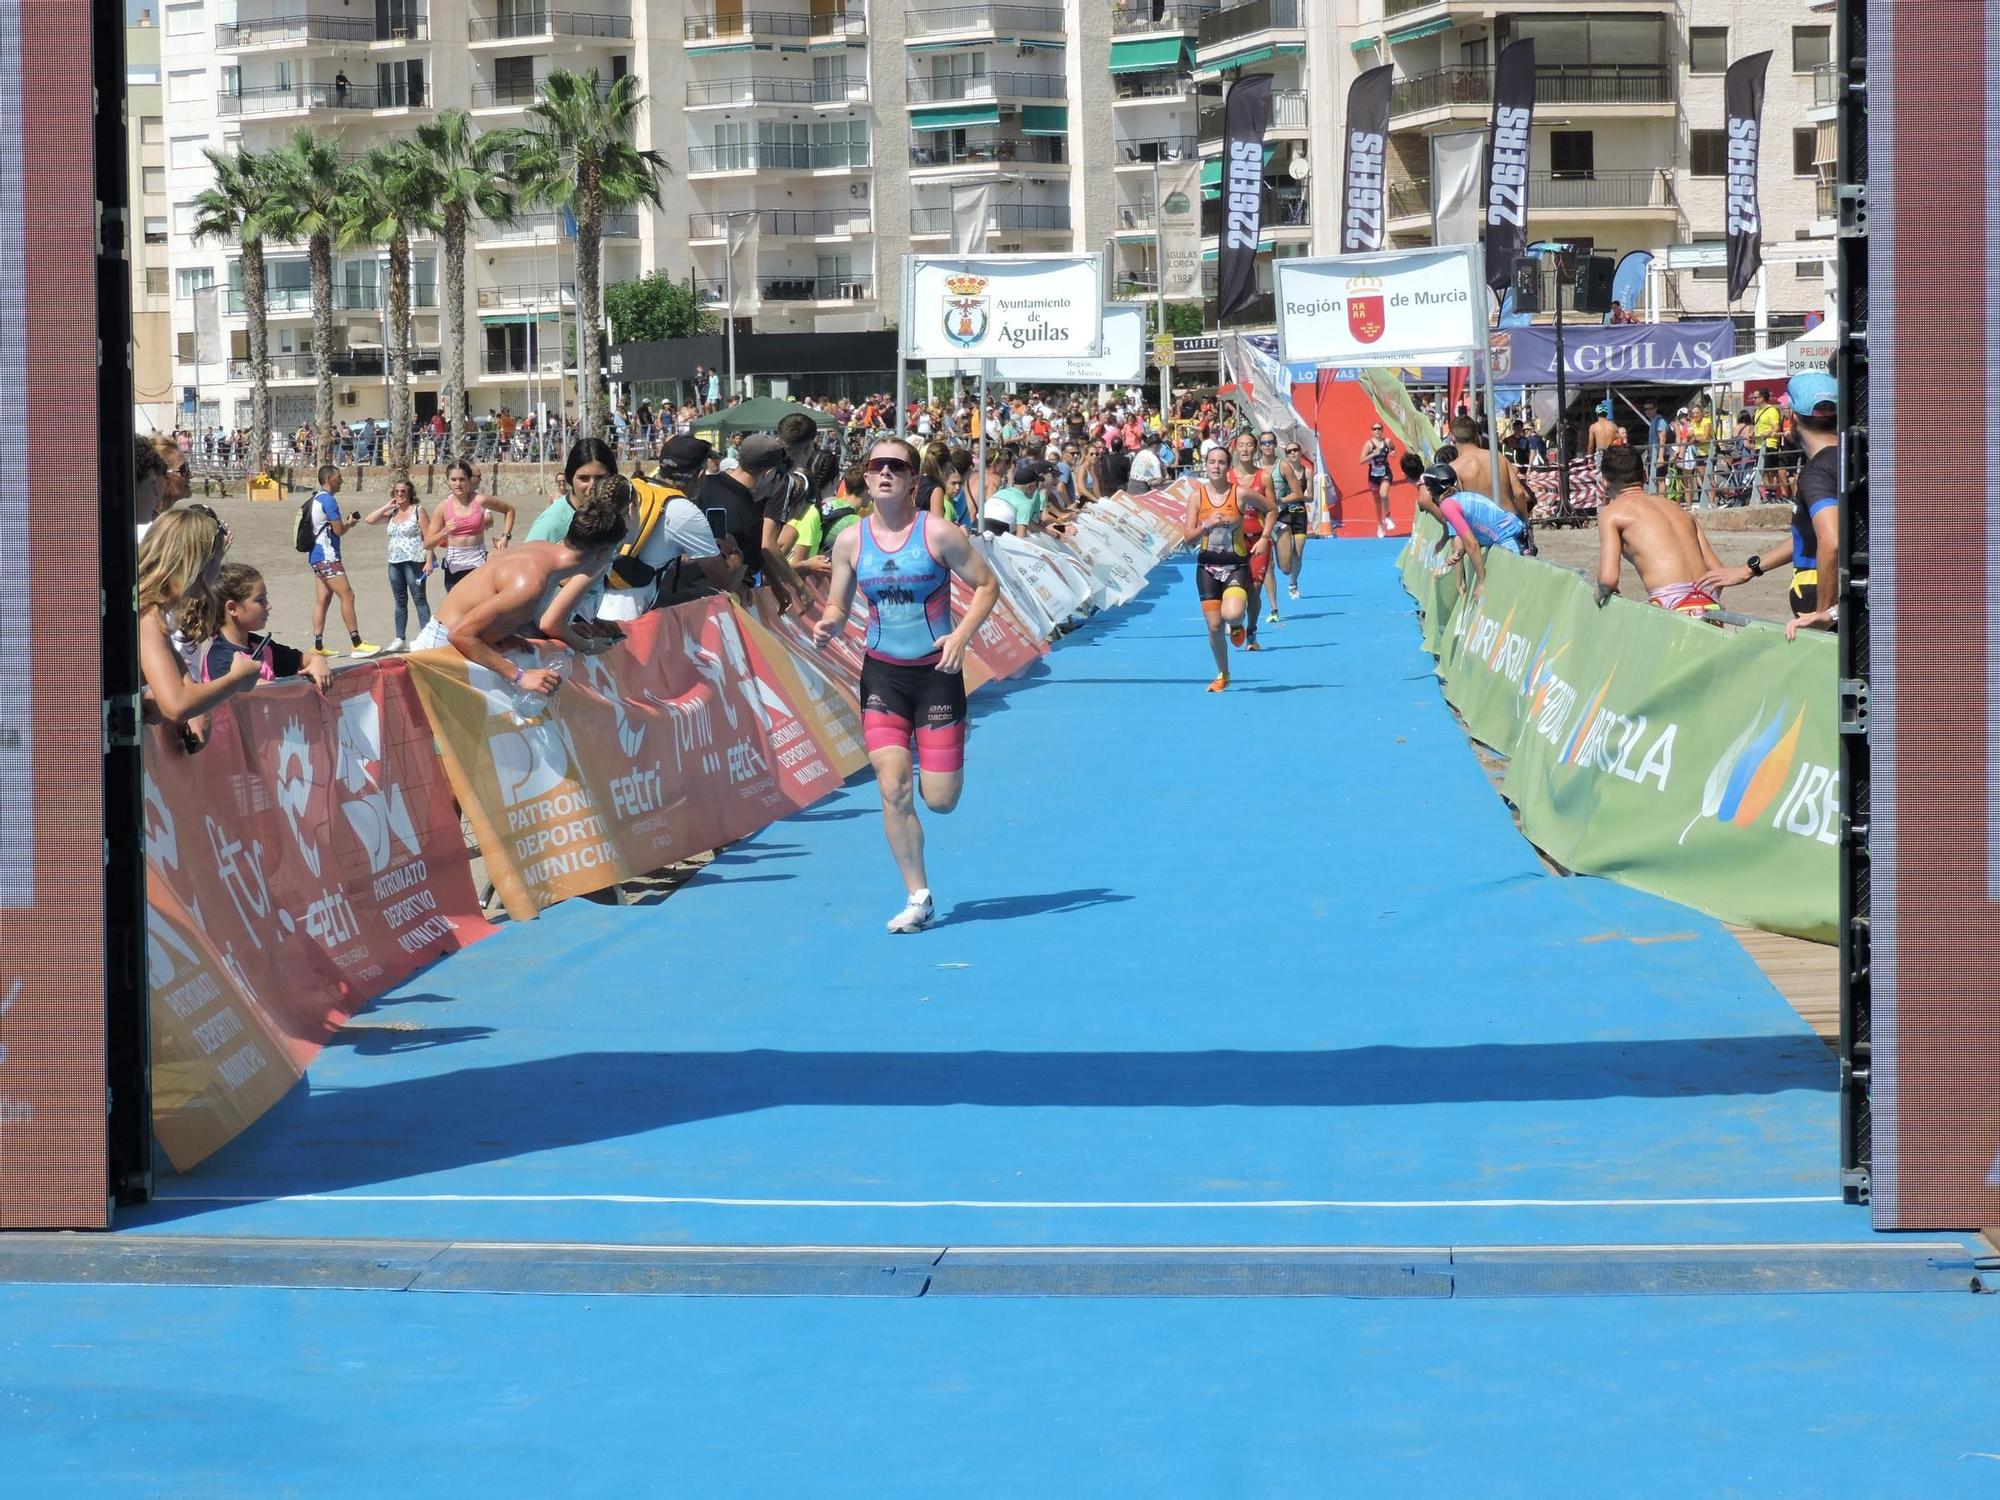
(913, 677)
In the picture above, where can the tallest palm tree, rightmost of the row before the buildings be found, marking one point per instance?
(579, 157)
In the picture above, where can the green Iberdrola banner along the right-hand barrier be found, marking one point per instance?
(1665, 753)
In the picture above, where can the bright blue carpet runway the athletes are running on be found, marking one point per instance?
(1225, 975)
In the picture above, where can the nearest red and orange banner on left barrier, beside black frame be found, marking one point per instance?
(303, 863)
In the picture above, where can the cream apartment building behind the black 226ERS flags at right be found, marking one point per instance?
(1629, 141)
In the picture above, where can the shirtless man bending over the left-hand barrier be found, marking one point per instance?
(535, 587)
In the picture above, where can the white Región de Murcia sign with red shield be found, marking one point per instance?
(1395, 307)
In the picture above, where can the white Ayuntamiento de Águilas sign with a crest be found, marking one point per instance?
(1003, 307)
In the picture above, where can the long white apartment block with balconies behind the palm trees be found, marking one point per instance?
(845, 127)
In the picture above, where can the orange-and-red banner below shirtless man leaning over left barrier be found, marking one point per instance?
(687, 737)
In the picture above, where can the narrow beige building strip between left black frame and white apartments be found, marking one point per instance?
(155, 395)
